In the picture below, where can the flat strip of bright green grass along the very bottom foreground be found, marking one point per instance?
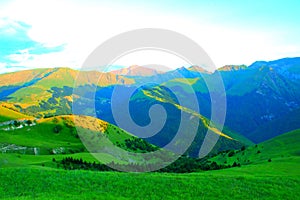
(29, 183)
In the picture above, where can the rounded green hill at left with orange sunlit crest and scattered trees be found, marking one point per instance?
(28, 144)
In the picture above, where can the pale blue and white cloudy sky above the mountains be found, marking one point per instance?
(62, 33)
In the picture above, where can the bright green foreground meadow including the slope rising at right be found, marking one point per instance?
(36, 176)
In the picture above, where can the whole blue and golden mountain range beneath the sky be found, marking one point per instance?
(263, 99)
